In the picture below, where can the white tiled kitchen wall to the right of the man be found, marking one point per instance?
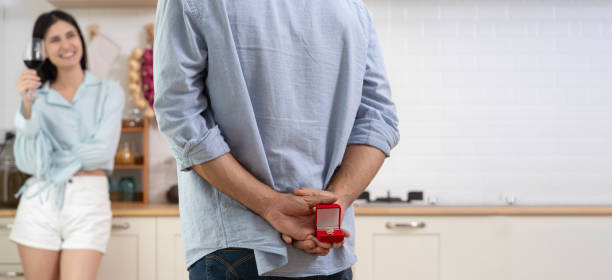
(499, 97)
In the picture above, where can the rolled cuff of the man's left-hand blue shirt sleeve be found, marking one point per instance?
(198, 151)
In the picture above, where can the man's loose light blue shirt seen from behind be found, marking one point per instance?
(283, 86)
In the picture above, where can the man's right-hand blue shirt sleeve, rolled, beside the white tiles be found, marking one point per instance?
(376, 123)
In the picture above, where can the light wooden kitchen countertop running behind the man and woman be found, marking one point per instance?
(381, 210)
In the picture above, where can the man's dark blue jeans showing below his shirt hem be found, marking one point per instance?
(239, 263)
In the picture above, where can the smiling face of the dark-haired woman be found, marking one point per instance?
(63, 45)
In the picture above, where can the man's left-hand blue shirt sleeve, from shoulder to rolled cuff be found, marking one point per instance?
(181, 102)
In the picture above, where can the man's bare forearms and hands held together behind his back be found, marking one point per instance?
(292, 215)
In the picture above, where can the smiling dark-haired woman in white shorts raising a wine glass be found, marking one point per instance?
(66, 138)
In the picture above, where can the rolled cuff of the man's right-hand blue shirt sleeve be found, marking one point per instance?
(375, 133)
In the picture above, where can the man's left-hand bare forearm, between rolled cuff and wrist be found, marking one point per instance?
(229, 177)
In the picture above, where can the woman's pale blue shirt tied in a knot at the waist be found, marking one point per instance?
(62, 138)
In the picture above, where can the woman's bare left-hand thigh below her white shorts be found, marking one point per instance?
(39, 263)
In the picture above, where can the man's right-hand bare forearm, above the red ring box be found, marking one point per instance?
(359, 166)
